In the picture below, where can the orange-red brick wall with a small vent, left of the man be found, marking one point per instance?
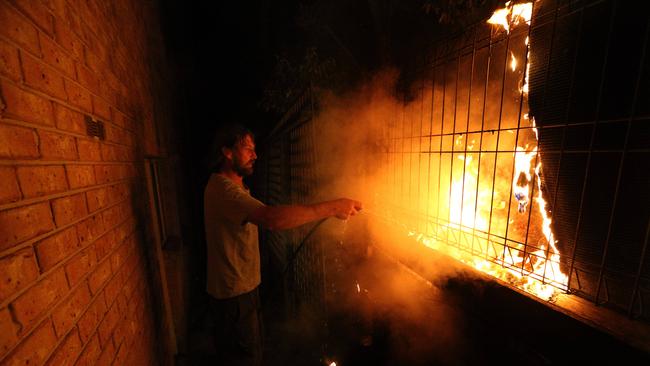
(74, 285)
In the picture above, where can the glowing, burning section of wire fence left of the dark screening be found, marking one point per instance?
(472, 176)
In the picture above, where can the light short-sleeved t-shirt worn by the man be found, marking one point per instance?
(232, 244)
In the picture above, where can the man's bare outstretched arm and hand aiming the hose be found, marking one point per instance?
(287, 217)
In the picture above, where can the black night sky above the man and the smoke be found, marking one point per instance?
(225, 51)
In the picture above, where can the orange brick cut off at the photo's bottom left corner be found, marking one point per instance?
(34, 349)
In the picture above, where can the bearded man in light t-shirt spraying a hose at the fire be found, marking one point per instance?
(232, 216)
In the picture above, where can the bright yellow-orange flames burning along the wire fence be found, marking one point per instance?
(503, 213)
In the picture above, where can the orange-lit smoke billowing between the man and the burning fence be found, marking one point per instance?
(382, 304)
